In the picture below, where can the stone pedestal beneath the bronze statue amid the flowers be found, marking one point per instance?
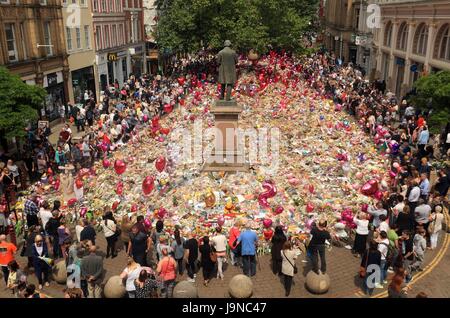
(226, 156)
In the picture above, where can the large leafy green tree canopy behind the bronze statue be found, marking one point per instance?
(249, 24)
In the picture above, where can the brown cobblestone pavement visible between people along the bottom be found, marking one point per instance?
(342, 268)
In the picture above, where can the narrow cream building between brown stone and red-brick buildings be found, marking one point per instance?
(79, 43)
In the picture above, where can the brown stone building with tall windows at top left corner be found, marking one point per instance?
(32, 45)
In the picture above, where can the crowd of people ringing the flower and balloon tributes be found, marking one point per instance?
(394, 234)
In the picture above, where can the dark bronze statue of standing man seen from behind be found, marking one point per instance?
(227, 59)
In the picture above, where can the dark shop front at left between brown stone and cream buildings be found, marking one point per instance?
(54, 85)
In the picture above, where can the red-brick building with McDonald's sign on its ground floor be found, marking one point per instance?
(118, 33)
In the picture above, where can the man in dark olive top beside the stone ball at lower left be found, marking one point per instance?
(92, 271)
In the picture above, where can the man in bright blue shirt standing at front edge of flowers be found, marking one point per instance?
(248, 240)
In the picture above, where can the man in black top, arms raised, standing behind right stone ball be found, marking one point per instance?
(317, 246)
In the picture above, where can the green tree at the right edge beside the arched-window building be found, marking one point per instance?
(433, 91)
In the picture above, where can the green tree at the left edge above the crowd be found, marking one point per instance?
(19, 104)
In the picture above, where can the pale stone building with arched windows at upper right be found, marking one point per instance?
(414, 40)
